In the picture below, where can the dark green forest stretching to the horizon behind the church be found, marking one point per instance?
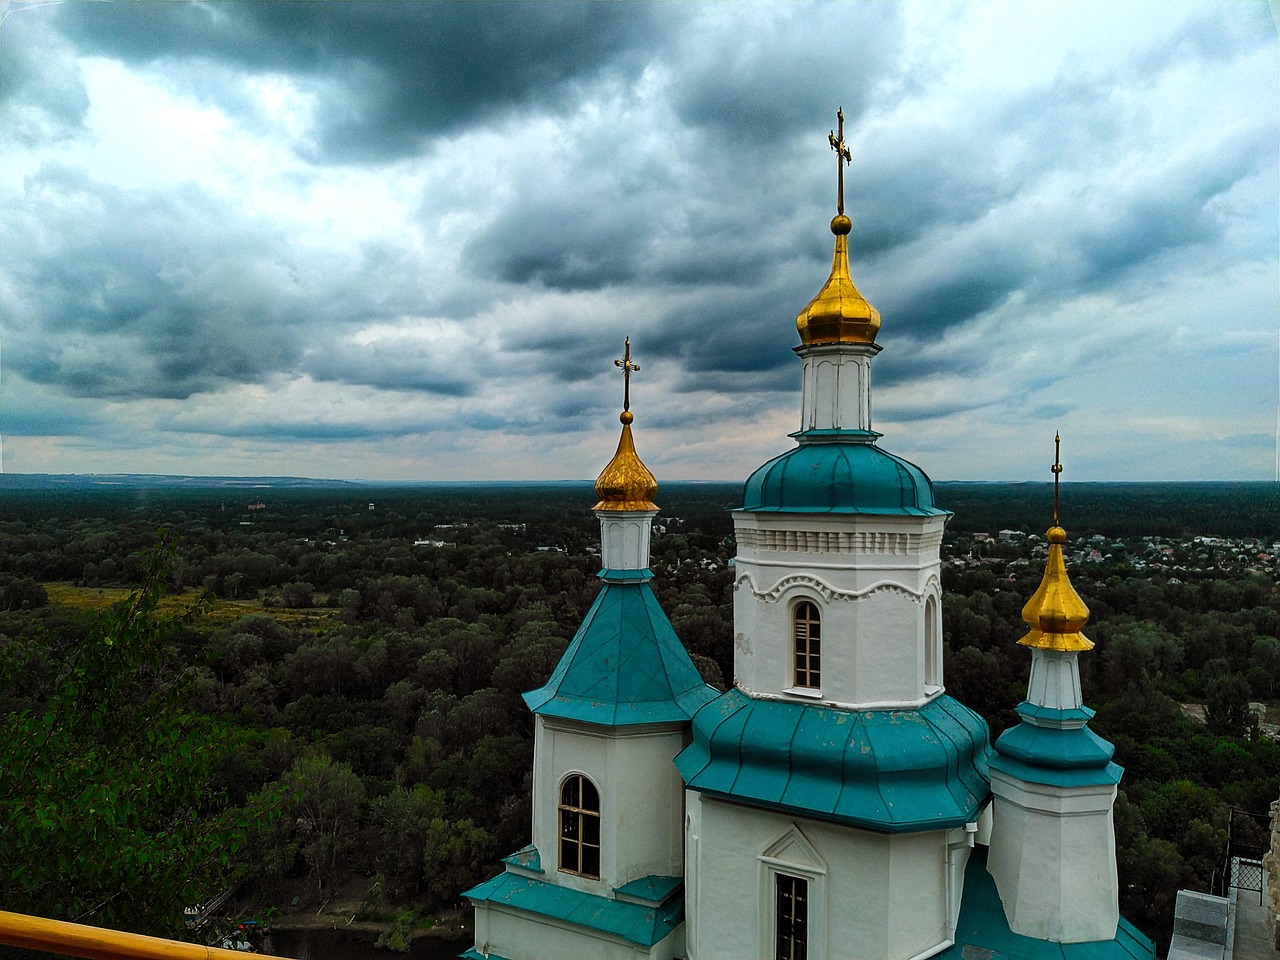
(308, 693)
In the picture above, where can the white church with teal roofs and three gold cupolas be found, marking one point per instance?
(835, 803)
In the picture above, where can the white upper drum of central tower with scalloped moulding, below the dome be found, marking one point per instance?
(877, 584)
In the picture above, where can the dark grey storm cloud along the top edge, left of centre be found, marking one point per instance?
(390, 75)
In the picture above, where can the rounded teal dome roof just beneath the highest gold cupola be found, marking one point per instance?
(842, 474)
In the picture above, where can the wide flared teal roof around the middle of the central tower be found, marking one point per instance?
(892, 771)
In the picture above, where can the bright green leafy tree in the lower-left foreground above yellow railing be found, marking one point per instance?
(107, 776)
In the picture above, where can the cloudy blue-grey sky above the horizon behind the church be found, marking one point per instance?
(406, 241)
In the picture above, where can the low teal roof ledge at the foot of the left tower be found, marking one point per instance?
(636, 924)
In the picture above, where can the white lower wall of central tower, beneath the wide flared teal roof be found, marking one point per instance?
(895, 895)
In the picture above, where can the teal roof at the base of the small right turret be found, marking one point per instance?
(984, 931)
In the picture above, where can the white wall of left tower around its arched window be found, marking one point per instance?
(641, 798)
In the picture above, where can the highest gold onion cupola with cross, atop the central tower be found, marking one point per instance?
(839, 314)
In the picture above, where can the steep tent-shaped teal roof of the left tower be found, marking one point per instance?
(625, 666)
